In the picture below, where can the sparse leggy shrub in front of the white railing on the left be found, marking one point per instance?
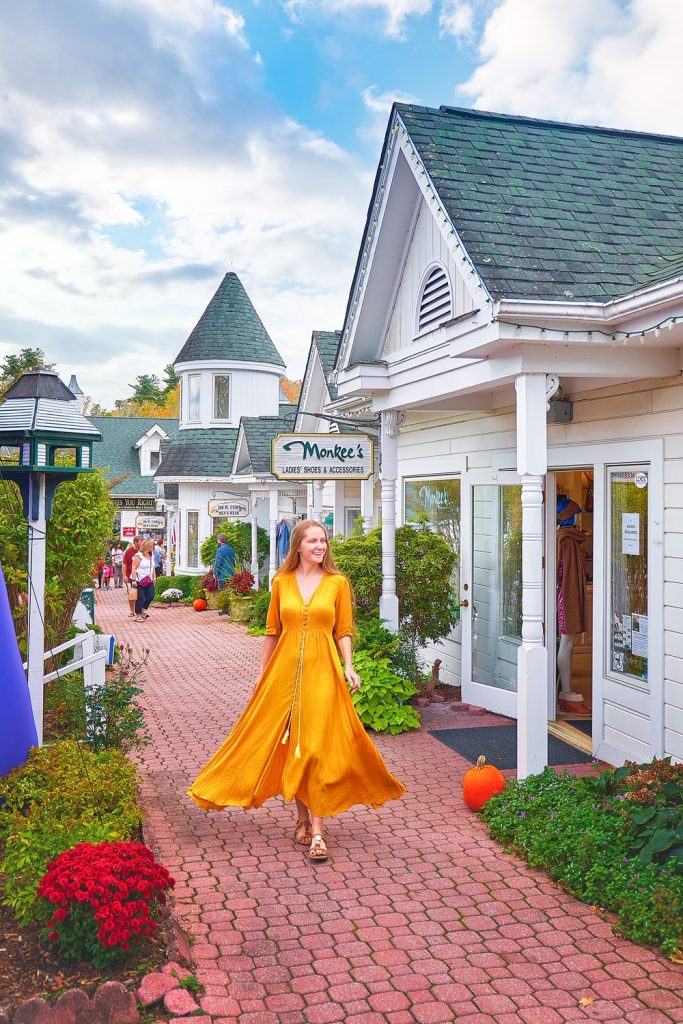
(105, 717)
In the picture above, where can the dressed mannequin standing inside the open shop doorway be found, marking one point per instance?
(572, 606)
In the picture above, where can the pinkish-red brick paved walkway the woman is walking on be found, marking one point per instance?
(418, 916)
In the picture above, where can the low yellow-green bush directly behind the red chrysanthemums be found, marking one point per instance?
(64, 795)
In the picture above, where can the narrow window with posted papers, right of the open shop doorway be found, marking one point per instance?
(628, 494)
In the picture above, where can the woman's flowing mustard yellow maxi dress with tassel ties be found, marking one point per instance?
(301, 735)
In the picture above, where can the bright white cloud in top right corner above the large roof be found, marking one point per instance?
(596, 62)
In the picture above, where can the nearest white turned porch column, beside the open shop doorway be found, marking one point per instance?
(532, 657)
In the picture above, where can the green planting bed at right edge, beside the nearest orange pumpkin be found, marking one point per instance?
(615, 841)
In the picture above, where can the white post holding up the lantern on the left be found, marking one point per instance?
(36, 647)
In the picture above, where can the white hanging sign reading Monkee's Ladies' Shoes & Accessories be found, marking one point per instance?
(322, 457)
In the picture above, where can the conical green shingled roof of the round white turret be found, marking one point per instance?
(230, 329)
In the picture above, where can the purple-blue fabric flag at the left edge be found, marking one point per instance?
(18, 730)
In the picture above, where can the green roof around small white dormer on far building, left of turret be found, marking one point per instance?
(119, 455)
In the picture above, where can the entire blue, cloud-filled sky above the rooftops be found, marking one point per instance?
(147, 147)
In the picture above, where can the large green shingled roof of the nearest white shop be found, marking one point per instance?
(554, 211)
